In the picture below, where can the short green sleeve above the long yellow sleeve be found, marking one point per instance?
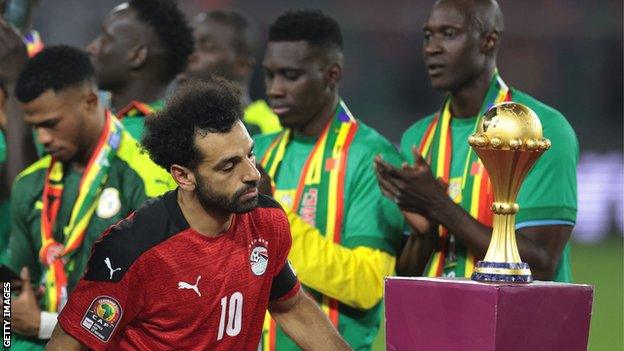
(371, 219)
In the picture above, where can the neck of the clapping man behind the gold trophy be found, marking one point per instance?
(467, 100)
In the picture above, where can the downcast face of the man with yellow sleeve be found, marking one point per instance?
(302, 84)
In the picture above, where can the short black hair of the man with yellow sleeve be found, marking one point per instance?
(311, 26)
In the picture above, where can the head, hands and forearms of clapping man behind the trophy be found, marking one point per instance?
(461, 61)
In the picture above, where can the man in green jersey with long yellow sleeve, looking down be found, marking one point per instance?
(345, 233)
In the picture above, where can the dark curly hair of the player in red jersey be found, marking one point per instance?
(197, 107)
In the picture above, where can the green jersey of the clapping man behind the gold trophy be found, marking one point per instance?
(548, 195)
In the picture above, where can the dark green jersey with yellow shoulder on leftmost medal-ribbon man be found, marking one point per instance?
(132, 179)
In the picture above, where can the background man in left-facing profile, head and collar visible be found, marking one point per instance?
(142, 46)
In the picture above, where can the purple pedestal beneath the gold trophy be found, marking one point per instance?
(445, 314)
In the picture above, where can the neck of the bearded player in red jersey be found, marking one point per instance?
(207, 223)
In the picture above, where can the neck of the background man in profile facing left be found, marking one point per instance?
(137, 90)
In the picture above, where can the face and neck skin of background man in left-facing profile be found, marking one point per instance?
(129, 61)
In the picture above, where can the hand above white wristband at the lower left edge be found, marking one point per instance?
(25, 311)
